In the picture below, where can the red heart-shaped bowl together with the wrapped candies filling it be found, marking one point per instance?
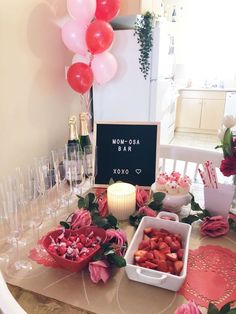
(74, 249)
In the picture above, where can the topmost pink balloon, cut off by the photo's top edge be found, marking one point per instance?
(82, 10)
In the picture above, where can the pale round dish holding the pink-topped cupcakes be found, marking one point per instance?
(173, 202)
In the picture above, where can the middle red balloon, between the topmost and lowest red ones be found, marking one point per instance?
(99, 36)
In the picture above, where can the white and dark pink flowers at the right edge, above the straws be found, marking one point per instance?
(228, 145)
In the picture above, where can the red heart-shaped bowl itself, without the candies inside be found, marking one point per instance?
(73, 266)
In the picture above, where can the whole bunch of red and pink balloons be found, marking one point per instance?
(89, 35)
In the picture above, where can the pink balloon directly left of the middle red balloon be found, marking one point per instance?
(73, 36)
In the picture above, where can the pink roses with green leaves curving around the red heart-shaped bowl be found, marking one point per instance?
(92, 210)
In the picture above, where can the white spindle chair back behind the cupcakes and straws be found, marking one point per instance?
(187, 160)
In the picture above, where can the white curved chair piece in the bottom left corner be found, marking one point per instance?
(8, 305)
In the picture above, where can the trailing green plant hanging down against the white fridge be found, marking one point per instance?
(143, 31)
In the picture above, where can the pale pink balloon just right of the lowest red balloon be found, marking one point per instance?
(104, 67)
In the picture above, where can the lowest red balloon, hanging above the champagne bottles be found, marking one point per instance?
(80, 77)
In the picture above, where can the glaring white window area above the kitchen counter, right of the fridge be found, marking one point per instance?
(210, 39)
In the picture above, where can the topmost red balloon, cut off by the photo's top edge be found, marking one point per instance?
(107, 9)
